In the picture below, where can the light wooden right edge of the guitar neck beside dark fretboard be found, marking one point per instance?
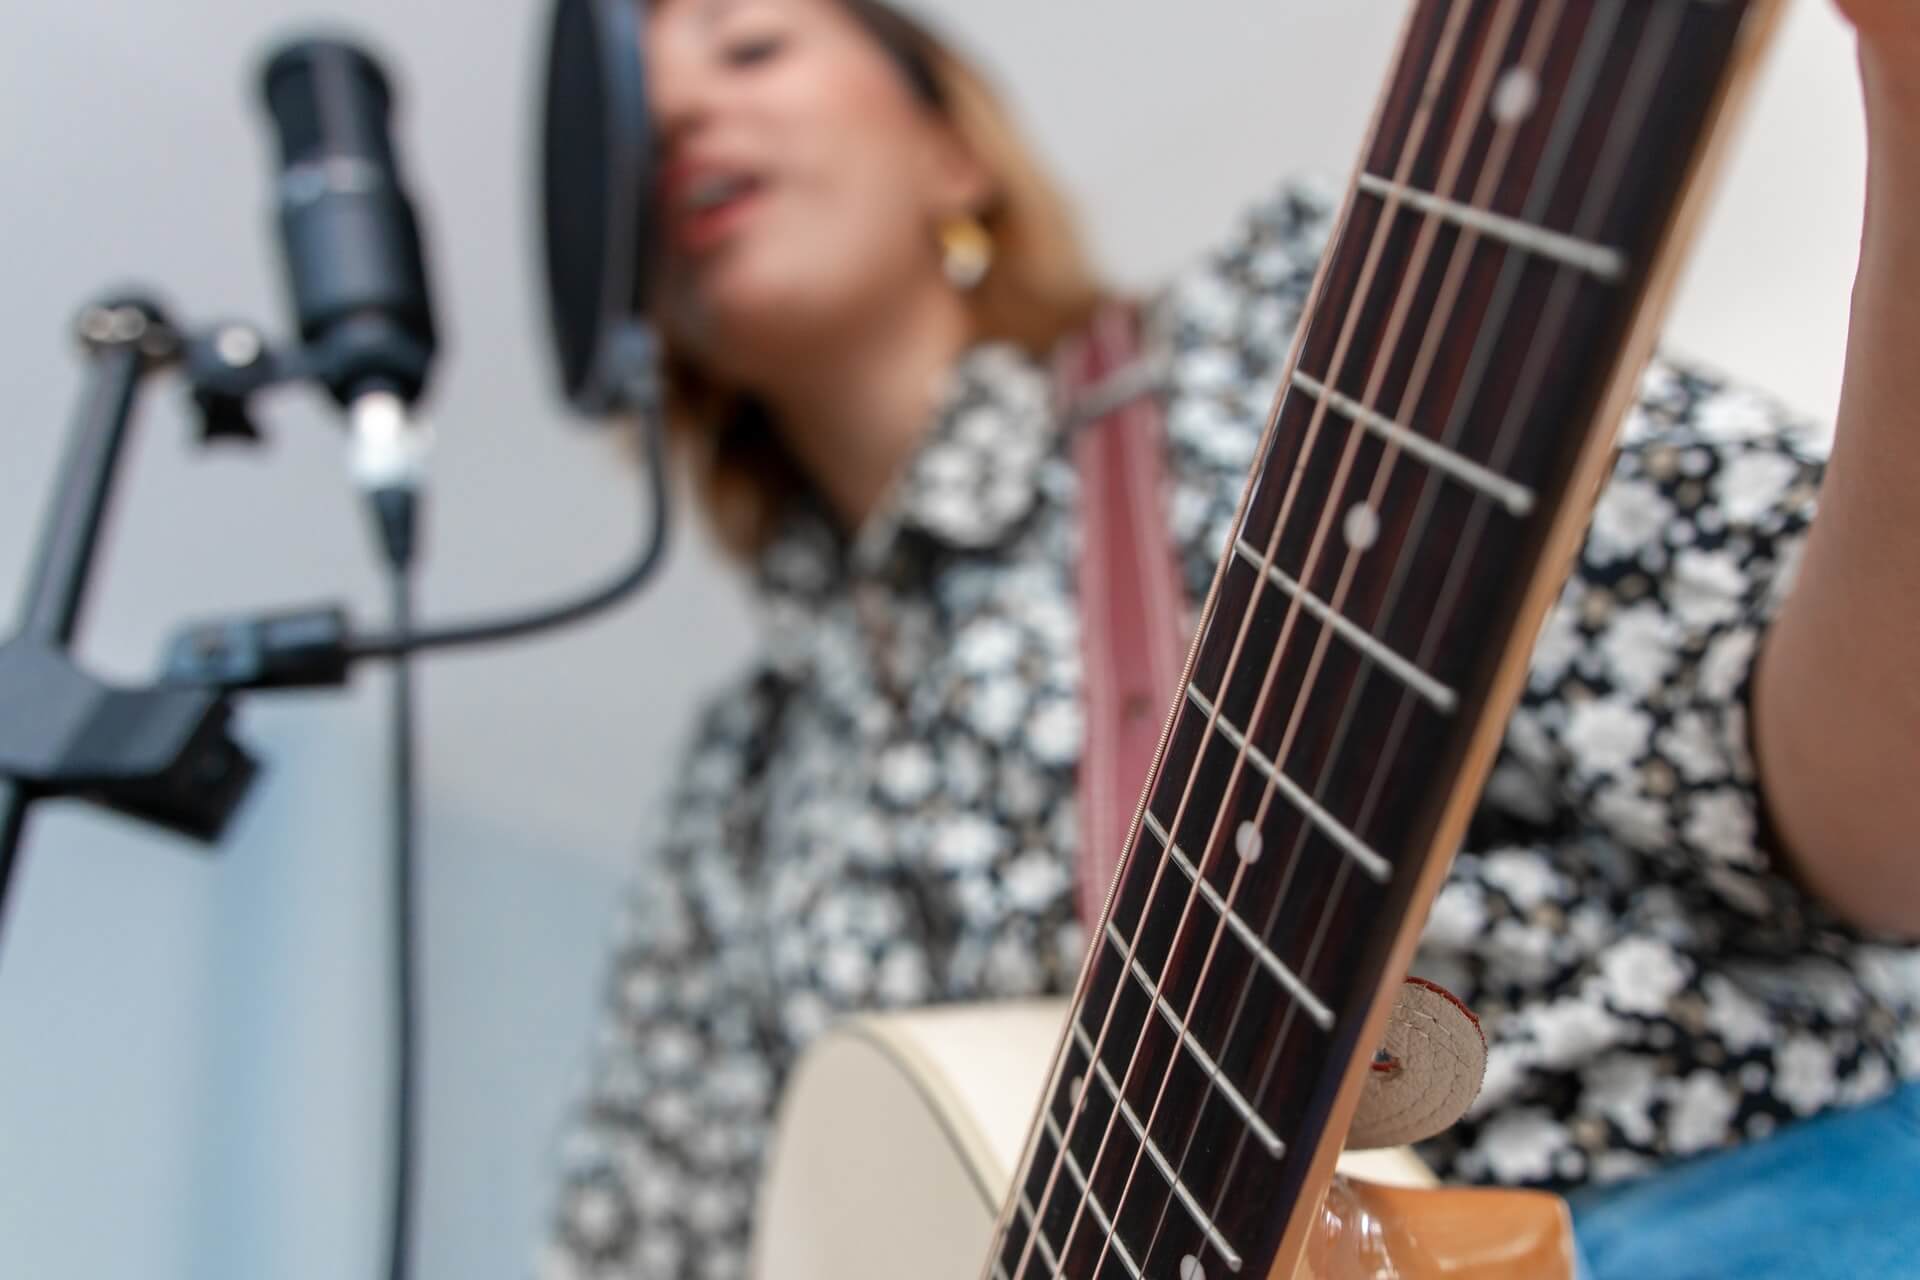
(1562, 546)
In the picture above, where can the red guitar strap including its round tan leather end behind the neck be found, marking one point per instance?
(1134, 627)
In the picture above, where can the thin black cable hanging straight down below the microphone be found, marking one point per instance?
(406, 1047)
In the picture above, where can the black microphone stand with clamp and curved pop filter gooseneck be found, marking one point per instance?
(162, 753)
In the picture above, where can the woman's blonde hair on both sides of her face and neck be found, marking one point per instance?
(1040, 289)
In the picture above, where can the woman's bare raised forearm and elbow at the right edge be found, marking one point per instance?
(1838, 686)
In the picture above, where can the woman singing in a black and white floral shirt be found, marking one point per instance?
(1683, 901)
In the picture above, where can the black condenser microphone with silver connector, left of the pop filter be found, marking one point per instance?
(354, 264)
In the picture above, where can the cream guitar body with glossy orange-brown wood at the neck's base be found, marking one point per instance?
(900, 1139)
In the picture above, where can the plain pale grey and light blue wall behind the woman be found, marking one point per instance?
(193, 1049)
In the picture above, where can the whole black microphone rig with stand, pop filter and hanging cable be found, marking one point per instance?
(164, 753)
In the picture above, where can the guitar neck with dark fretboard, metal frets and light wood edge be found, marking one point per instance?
(1527, 356)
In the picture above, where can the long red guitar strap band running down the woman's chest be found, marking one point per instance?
(1130, 598)
